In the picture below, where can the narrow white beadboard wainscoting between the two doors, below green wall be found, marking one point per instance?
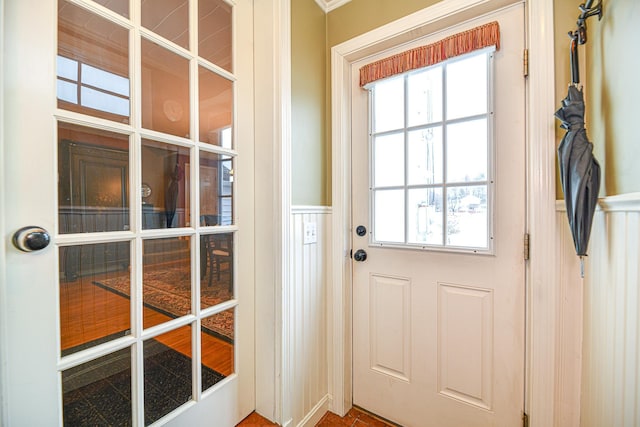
(309, 279)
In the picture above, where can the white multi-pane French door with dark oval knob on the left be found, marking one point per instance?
(126, 136)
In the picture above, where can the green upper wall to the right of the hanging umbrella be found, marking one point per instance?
(612, 90)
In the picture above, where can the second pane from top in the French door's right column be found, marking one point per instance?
(216, 107)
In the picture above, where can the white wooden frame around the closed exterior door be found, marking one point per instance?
(542, 292)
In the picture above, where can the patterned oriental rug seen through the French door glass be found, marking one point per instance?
(168, 291)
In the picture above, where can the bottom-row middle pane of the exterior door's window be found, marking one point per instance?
(425, 216)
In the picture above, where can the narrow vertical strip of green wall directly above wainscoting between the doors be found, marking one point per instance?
(310, 158)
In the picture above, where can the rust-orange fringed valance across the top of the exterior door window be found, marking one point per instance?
(424, 56)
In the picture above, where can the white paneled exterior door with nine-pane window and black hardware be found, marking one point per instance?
(438, 223)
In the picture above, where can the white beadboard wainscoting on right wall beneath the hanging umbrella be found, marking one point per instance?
(610, 380)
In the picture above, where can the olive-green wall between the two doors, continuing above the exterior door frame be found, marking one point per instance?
(312, 35)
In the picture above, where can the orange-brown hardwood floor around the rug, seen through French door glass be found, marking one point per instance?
(89, 312)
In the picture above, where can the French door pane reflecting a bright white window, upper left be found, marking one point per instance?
(102, 47)
